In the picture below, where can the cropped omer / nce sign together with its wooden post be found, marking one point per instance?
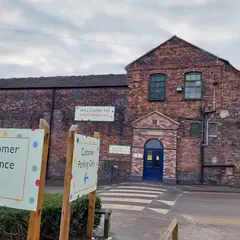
(23, 156)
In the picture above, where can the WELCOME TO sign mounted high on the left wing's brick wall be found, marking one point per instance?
(88, 113)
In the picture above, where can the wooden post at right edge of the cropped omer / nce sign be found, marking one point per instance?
(34, 225)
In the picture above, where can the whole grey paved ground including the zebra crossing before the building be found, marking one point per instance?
(145, 210)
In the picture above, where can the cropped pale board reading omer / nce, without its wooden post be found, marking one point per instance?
(20, 166)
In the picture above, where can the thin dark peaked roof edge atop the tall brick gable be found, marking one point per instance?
(152, 50)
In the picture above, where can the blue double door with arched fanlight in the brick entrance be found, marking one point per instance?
(153, 160)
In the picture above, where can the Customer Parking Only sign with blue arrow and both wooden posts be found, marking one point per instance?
(80, 176)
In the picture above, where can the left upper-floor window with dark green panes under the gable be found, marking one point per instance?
(157, 87)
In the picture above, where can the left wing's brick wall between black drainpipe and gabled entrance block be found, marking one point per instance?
(110, 132)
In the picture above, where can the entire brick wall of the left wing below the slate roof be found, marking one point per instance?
(24, 108)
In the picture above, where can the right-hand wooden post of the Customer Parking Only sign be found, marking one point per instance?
(91, 205)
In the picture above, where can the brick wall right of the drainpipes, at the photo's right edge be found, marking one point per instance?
(225, 148)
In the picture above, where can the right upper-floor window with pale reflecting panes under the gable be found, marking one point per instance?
(193, 85)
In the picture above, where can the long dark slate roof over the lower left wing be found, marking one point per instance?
(110, 80)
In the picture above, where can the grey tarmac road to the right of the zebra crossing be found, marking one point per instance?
(207, 215)
